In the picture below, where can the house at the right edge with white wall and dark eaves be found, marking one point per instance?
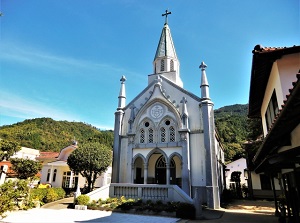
(275, 99)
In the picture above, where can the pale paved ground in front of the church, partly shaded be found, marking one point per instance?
(57, 212)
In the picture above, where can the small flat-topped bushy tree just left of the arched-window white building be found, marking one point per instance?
(25, 168)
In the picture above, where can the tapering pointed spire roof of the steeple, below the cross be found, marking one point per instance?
(165, 46)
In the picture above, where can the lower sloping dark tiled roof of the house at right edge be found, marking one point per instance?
(285, 122)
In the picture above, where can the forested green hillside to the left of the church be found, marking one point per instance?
(47, 134)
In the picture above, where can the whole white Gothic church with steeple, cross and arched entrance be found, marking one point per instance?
(166, 135)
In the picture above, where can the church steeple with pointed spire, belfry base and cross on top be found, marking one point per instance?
(165, 61)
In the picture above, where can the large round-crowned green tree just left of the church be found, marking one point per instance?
(90, 160)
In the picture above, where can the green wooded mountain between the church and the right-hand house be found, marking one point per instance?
(232, 125)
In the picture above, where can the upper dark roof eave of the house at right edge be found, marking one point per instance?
(262, 62)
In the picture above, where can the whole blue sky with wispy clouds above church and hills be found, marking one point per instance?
(63, 59)
